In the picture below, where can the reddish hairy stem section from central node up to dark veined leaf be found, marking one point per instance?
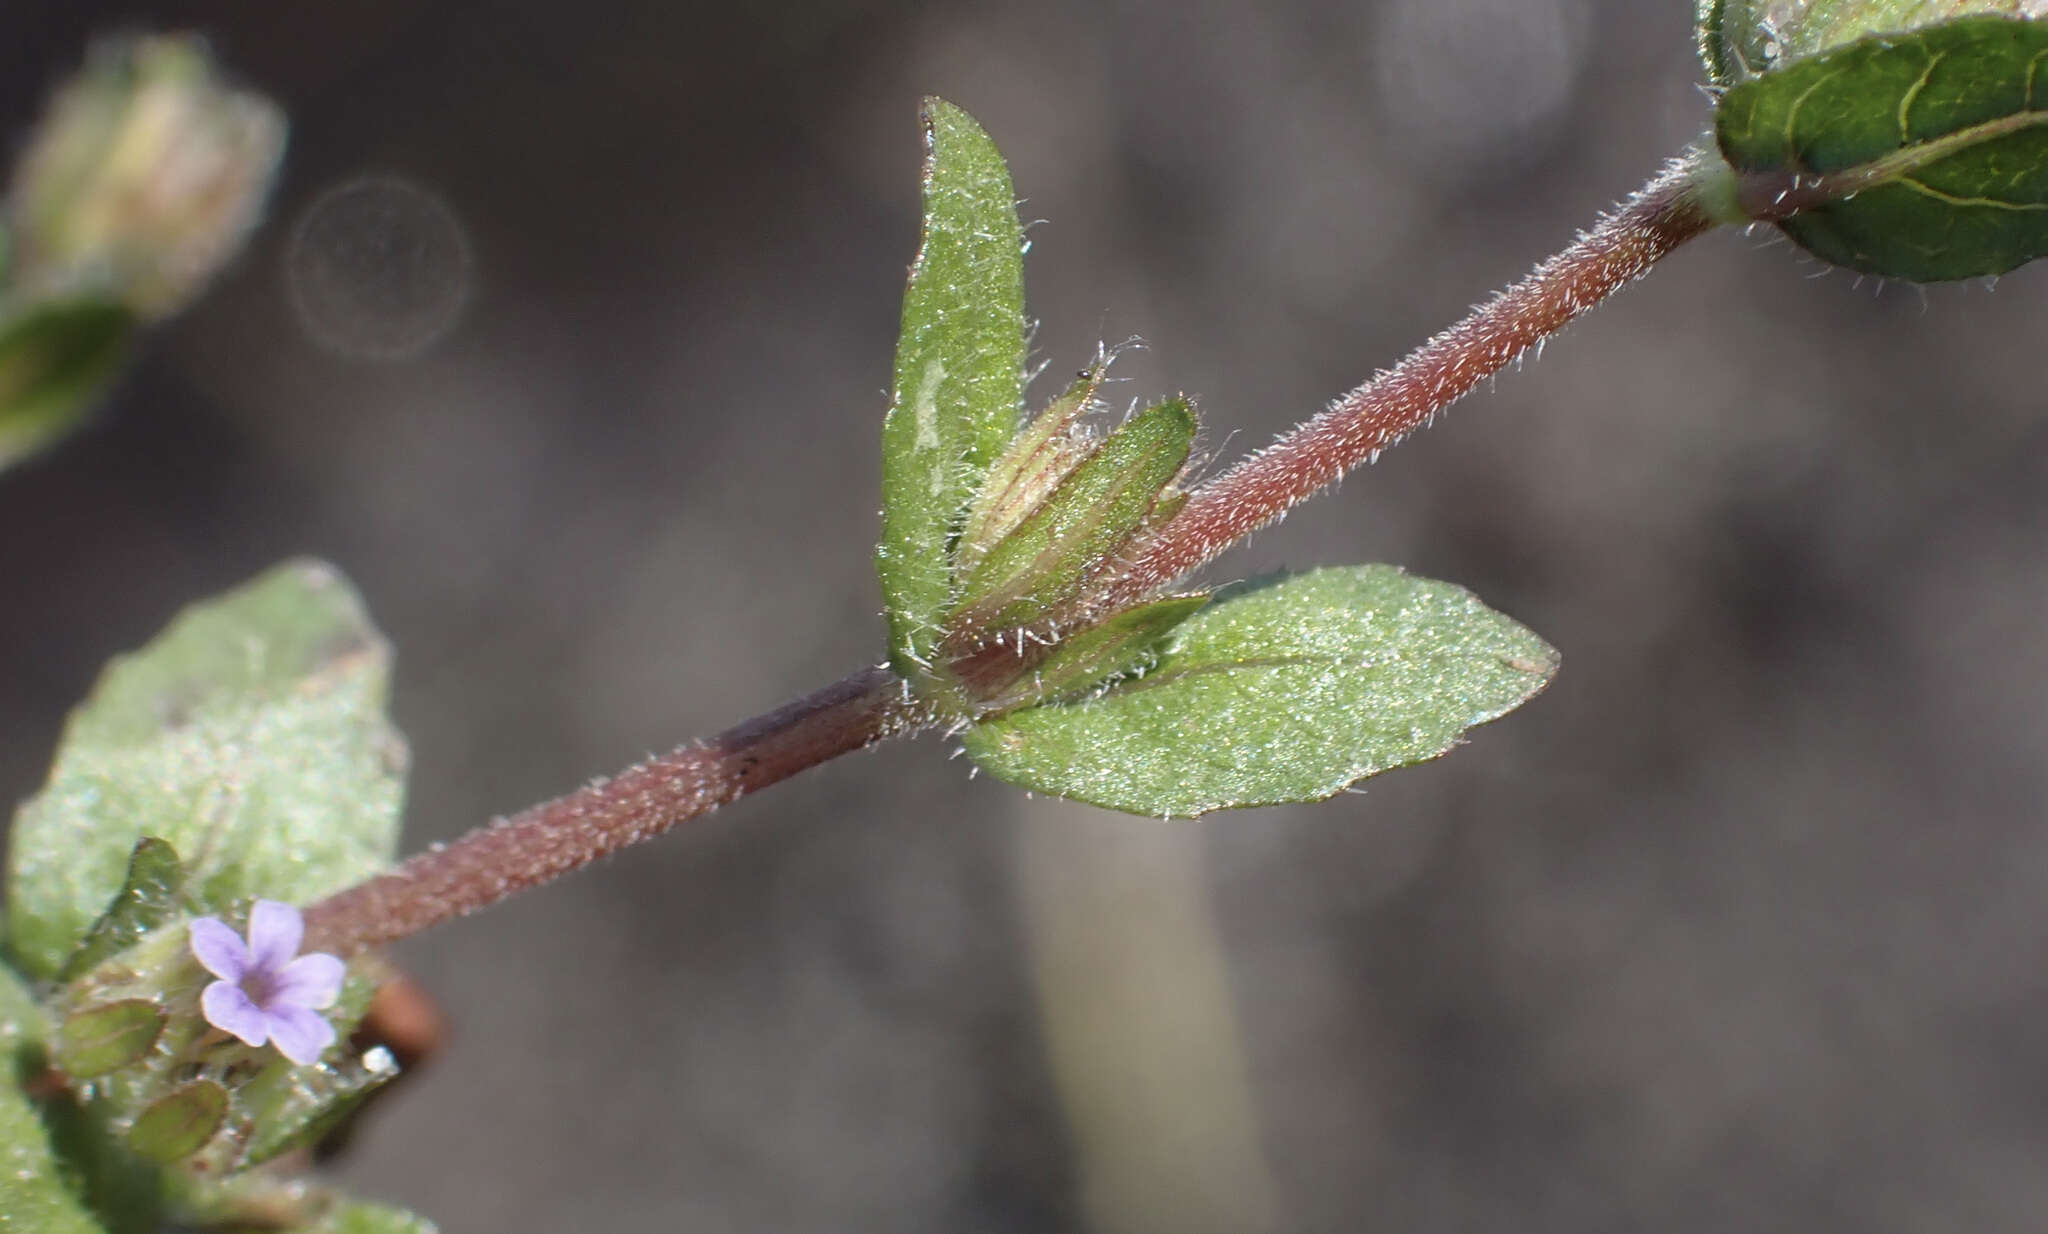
(1621, 249)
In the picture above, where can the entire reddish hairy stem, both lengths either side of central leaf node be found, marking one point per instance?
(556, 838)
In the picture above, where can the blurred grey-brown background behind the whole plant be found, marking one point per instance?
(568, 341)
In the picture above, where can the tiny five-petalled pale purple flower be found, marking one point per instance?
(265, 996)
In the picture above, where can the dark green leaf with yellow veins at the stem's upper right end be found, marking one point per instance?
(1938, 142)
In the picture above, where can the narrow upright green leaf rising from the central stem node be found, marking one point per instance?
(959, 376)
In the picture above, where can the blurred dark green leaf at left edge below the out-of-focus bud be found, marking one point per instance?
(56, 361)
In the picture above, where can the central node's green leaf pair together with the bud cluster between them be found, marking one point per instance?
(1000, 547)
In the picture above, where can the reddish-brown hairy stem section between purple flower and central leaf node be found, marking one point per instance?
(556, 838)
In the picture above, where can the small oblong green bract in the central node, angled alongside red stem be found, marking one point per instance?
(1082, 523)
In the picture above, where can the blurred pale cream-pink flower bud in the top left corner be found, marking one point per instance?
(142, 179)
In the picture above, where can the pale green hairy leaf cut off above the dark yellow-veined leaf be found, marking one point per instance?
(1746, 38)
